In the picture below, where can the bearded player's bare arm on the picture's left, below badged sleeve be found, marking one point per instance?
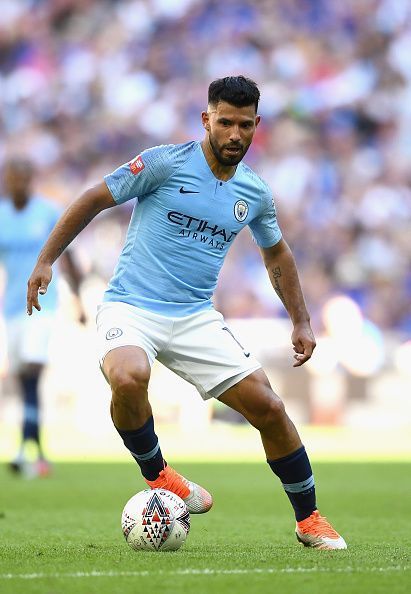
(75, 219)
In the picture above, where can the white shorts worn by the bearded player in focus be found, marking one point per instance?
(200, 348)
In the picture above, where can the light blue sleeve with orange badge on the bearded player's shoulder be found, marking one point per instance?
(146, 172)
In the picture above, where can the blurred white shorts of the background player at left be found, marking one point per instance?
(28, 340)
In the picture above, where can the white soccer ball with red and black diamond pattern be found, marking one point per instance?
(155, 520)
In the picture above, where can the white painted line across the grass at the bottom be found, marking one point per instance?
(182, 572)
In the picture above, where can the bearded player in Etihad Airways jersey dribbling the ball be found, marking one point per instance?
(192, 200)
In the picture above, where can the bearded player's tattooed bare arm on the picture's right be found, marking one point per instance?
(282, 271)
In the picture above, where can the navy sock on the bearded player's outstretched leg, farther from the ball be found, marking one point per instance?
(296, 475)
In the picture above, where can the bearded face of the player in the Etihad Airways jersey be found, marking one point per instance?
(230, 131)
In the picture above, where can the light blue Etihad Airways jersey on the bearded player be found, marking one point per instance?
(183, 223)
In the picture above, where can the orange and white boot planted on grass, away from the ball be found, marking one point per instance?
(316, 531)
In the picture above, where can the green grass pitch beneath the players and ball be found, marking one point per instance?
(61, 535)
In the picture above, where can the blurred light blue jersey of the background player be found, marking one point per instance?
(22, 236)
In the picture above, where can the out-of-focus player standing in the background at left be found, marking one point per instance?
(25, 223)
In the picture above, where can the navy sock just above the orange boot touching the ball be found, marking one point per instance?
(145, 449)
